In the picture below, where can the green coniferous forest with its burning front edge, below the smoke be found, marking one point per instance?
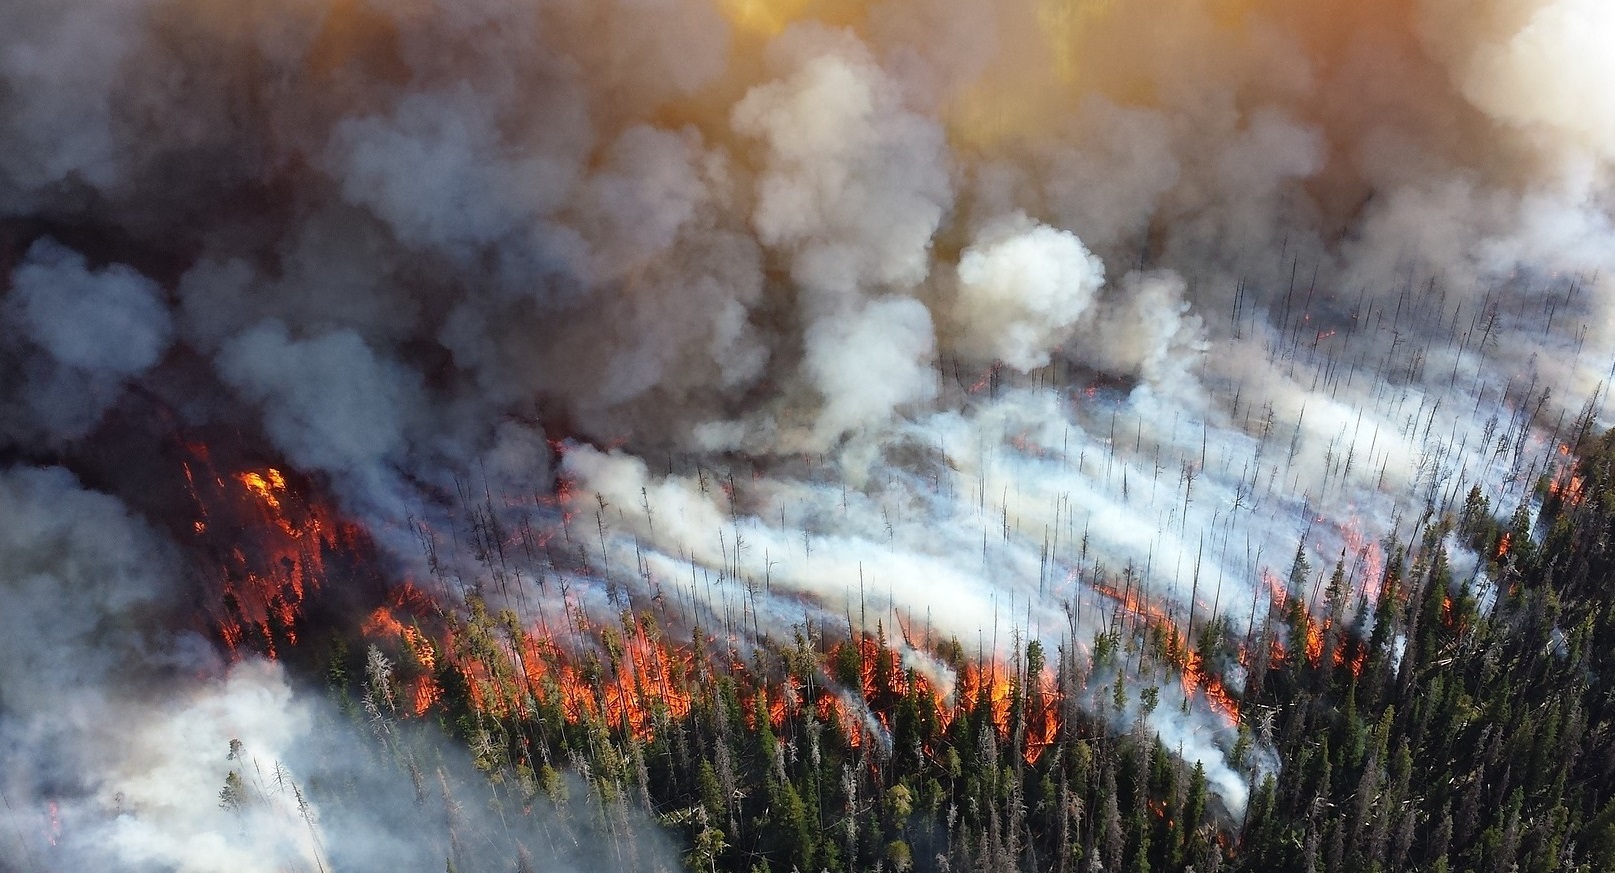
(1453, 724)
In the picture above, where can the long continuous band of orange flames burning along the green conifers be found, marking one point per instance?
(634, 680)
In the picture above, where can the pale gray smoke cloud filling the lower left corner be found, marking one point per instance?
(128, 745)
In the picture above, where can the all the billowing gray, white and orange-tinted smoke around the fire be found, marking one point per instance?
(941, 314)
